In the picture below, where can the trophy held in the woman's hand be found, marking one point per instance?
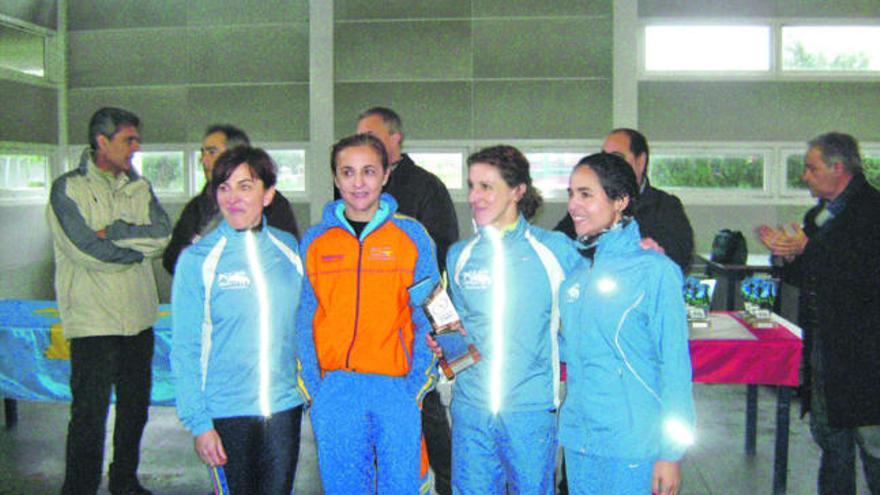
(458, 354)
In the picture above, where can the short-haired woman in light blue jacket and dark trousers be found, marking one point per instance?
(234, 302)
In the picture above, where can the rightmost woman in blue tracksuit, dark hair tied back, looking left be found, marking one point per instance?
(628, 415)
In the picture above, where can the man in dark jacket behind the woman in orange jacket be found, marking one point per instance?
(422, 195)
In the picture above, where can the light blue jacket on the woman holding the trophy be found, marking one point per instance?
(505, 291)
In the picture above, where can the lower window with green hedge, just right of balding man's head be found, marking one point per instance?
(738, 170)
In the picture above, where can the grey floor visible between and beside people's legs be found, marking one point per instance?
(32, 454)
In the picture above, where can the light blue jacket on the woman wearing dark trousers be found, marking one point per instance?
(234, 325)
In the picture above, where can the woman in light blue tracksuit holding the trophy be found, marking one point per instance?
(503, 281)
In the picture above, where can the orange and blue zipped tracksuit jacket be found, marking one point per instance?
(355, 311)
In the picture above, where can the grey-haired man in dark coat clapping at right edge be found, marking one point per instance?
(834, 261)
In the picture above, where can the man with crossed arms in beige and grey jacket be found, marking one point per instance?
(107, 225)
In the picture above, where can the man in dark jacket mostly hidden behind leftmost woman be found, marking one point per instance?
(201, 214)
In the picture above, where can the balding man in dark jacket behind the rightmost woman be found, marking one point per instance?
(661, 216)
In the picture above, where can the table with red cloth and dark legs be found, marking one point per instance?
(734, 352)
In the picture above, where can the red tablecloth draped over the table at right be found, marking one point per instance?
(772, 357)
